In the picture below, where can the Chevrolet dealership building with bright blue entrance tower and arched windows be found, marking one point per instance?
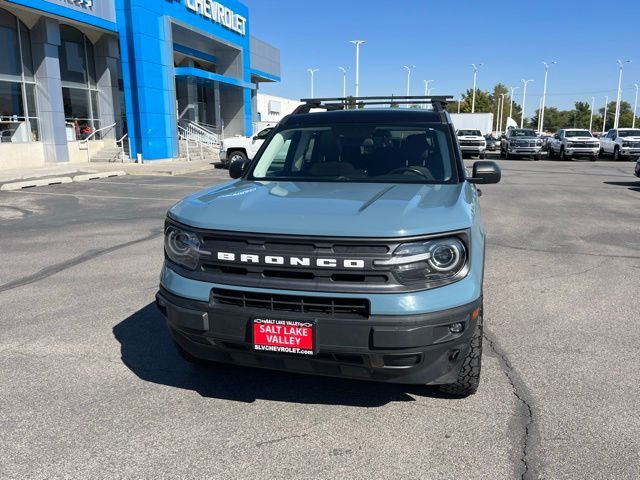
(79, 75)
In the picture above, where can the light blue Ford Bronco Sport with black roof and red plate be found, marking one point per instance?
(351, 245)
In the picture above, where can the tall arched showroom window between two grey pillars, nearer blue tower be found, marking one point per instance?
(79, 89)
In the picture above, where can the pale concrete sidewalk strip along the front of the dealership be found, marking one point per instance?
(70, 170)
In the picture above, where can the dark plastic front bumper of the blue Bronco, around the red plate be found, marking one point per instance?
(412, 349)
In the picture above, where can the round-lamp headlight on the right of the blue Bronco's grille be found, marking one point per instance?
(436, 262)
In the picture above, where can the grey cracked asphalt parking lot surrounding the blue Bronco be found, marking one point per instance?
(91, 387)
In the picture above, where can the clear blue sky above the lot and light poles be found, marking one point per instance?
(442, 38)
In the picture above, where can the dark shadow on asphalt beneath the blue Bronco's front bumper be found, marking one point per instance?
(147, 350)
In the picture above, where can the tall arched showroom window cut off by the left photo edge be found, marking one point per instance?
(18, 112)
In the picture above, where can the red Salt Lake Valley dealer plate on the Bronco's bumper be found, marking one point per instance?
(283, 336)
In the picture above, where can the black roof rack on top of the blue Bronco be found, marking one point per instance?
(439, 102)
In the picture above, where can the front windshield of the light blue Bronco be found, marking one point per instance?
(359, 153)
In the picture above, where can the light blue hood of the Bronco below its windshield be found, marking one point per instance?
(330, 209)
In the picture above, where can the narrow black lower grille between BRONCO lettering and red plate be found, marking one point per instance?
(335, 307)
